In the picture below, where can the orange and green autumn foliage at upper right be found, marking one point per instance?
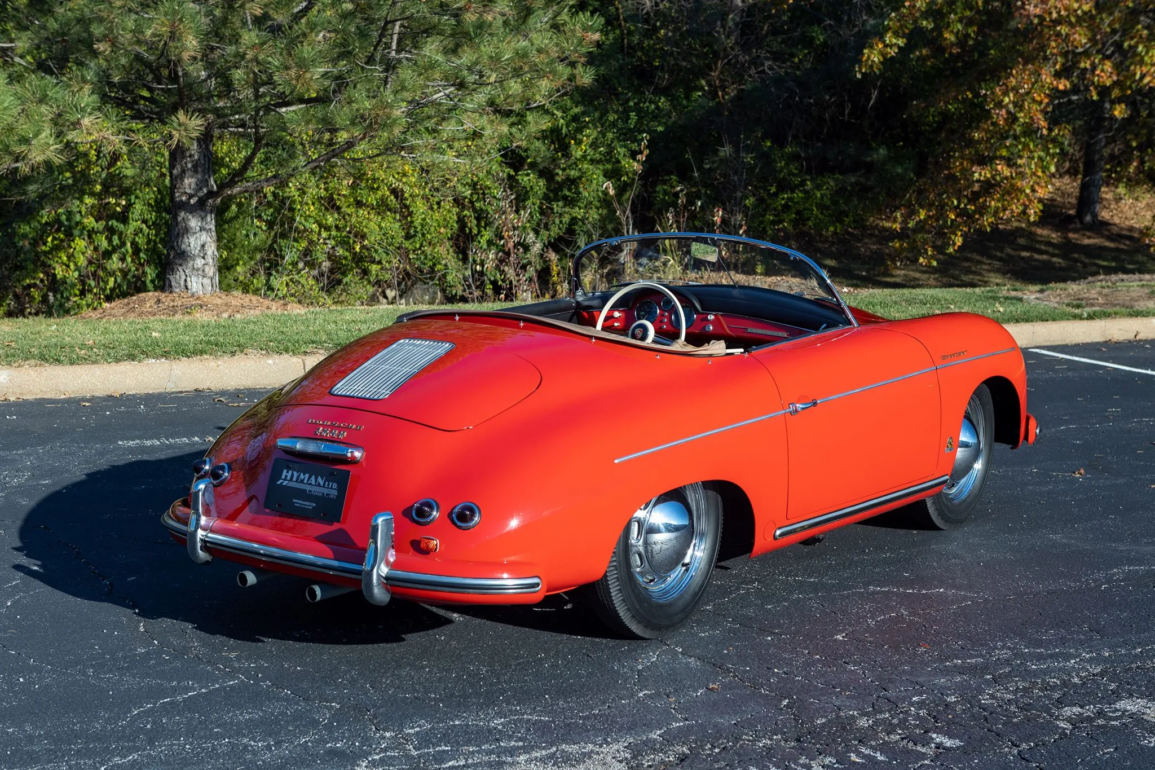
(1003, 92)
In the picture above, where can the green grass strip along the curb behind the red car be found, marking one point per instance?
(74, 341)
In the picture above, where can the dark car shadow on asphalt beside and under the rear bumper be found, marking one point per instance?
(101, 540)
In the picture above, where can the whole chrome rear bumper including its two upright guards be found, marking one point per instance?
(205, 540)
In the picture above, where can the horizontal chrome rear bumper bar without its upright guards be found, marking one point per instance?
(416, 581)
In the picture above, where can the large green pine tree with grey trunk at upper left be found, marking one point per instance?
(299, 84)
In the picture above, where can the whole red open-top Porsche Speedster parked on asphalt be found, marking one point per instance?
(602, 442)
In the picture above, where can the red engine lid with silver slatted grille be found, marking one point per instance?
(450, 377)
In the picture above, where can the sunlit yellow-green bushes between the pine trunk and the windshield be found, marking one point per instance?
(391, 234)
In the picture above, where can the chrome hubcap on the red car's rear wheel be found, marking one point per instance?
(668, 542)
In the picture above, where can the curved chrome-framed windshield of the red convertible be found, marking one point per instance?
(698, 258)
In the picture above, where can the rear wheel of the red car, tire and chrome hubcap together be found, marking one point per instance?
(662, 563)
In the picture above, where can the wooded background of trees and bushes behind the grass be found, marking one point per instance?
(929, 118)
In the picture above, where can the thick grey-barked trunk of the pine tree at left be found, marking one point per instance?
(191, 265)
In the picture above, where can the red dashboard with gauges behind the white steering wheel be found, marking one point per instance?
(702, 326)
